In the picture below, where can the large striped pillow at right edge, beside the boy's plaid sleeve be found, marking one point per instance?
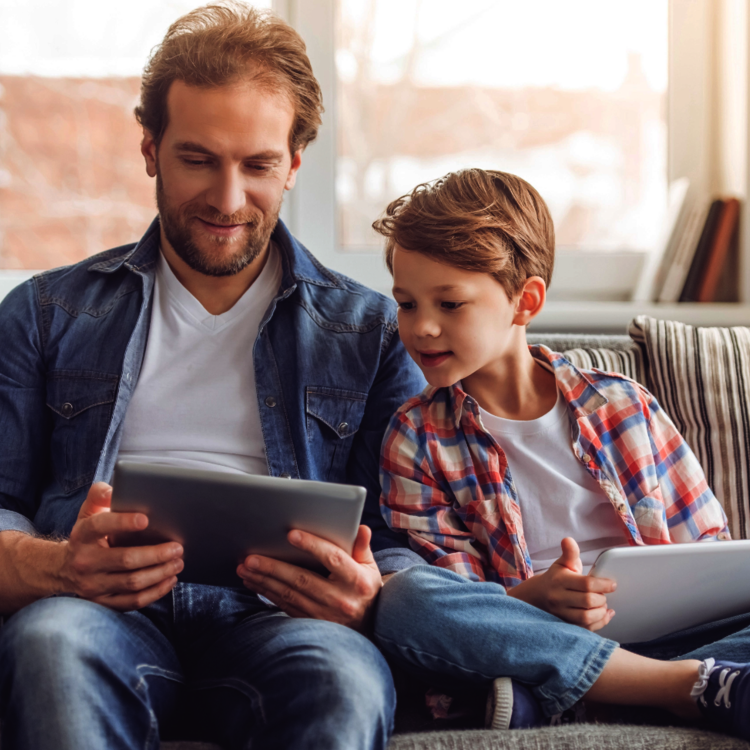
(701, 376)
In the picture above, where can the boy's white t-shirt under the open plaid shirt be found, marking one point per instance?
(556, 494)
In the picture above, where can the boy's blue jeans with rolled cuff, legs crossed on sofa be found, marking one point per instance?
(438, 625)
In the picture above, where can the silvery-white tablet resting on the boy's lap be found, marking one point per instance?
(669, 587)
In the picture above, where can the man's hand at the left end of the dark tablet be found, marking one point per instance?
(122, 578)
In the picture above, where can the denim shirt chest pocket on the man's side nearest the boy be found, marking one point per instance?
(333, 416)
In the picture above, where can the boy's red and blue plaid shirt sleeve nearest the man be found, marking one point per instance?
(413, 501)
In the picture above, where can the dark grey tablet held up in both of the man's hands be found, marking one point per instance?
(220, 518)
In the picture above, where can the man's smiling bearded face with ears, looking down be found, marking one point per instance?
(221, 170)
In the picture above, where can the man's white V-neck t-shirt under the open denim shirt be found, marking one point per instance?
(195, 403)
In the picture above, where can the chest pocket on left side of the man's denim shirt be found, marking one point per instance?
(82, 404)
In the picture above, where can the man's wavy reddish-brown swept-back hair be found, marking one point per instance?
(227, 43)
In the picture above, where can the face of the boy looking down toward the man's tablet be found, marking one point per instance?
(453, 323)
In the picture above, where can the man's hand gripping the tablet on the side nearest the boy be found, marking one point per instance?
(346, 596)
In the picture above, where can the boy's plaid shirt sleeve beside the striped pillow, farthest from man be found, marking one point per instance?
(692, 511)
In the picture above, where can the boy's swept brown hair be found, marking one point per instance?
(478, 220)
